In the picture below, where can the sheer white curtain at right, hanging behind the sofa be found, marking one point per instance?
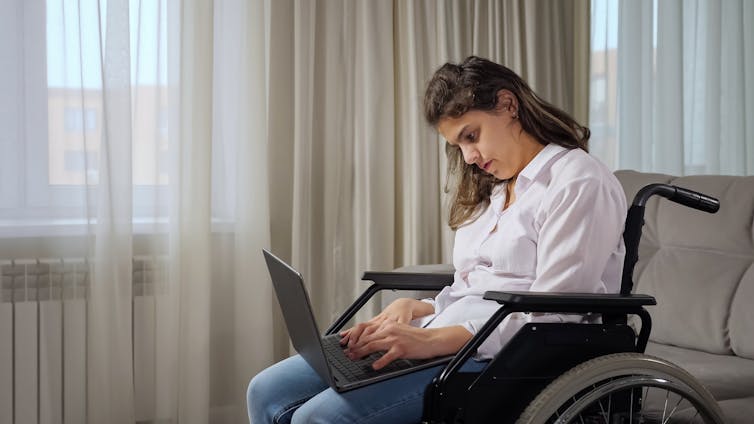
(672, 86)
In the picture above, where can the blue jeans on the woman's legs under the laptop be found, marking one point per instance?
(292, 392)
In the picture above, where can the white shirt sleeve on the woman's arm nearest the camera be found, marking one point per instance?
(581, 226)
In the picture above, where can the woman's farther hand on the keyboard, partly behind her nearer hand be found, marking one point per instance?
(399, 311)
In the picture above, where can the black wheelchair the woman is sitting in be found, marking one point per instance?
(564, 372)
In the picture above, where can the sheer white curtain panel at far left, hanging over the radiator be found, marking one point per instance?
(69, 149)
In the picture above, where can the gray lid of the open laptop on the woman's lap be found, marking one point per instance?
(297, 311)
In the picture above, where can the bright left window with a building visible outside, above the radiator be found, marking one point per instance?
(52, 115)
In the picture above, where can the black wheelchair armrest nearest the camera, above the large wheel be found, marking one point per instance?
(572, 302)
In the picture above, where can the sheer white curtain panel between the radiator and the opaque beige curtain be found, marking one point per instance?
(217, 318)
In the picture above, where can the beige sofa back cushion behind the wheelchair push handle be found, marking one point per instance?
(694, 263)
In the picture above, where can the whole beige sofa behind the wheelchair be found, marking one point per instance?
(700, 268)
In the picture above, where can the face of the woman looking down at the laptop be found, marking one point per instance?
(492, 140)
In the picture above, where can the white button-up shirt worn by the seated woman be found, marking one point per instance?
(563, 233)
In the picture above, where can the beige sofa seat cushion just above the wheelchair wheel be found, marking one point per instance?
(726, 376)
